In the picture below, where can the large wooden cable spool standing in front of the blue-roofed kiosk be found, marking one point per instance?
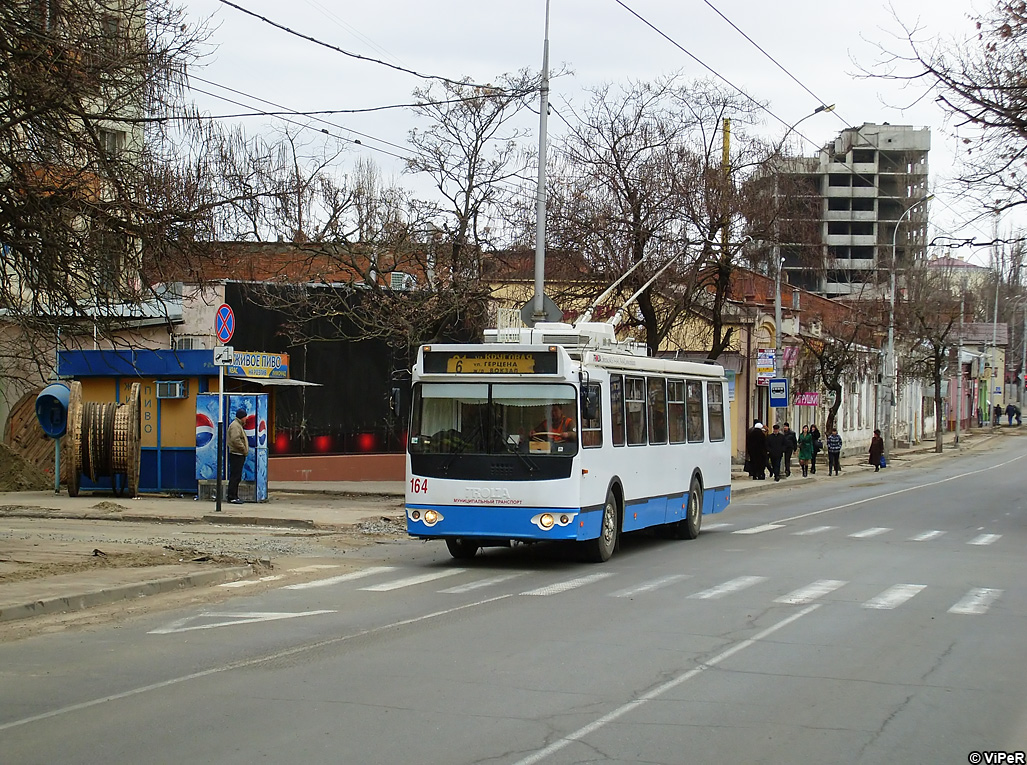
(105, 442)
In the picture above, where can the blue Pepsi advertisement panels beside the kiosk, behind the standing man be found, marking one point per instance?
(254, 486)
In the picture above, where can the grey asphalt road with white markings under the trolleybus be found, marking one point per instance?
(872, 619)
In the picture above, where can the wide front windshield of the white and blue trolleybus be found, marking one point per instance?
(495, 418)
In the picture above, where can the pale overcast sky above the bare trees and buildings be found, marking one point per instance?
(823, 44)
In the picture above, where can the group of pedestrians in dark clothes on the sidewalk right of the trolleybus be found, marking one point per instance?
(772, 453)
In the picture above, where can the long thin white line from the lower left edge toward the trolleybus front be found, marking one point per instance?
(246, 664)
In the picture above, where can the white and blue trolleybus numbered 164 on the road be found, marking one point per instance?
(562, 433)
